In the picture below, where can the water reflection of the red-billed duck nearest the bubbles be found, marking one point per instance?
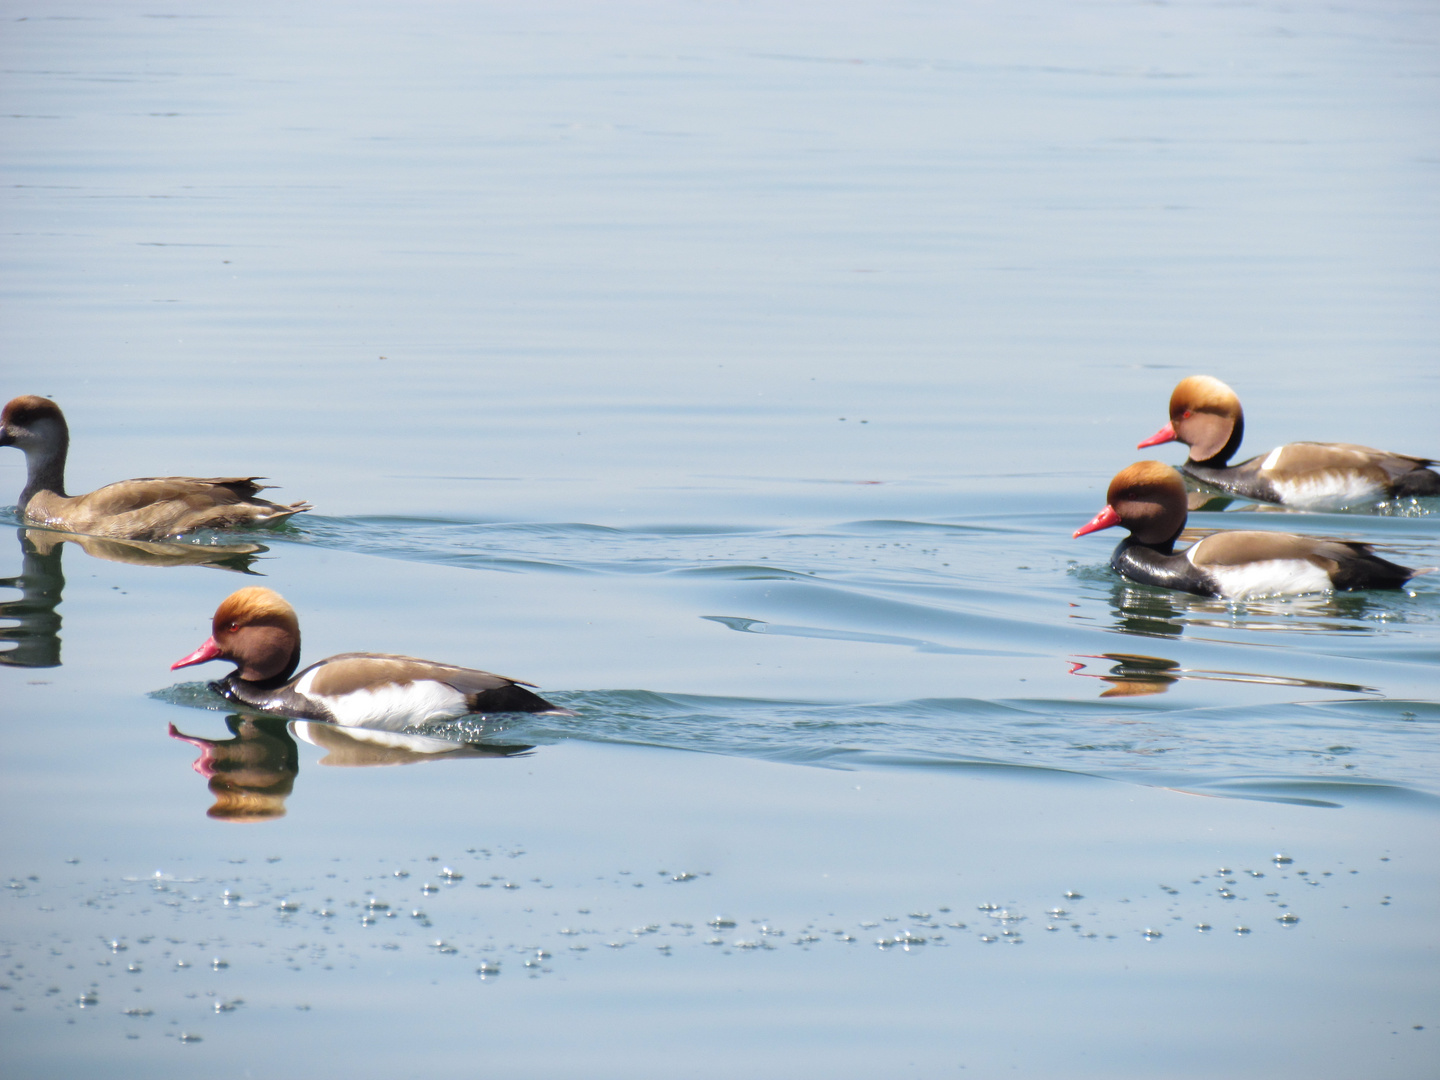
(253, 774)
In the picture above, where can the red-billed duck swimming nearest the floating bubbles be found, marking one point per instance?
(258, 631)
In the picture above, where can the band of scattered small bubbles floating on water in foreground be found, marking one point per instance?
(211, 932)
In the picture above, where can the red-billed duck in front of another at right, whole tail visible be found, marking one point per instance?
(1148, 499)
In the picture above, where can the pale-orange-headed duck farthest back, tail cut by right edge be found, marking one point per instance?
(1207, 418)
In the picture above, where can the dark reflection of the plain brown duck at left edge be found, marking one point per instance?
(37, 631)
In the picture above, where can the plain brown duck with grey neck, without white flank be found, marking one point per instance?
(146, 509)
